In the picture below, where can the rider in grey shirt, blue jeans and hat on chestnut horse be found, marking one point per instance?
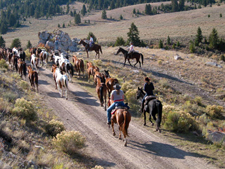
(117, 96)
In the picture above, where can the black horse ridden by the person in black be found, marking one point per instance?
(154, 106)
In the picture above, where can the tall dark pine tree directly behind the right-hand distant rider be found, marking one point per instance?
(133, 35)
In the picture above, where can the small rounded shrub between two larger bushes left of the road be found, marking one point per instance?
(54, 127)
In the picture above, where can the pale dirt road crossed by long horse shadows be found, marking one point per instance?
(145, 149)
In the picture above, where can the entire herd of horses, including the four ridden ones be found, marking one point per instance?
(63, 71)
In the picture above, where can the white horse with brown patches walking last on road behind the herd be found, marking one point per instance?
(62, 82)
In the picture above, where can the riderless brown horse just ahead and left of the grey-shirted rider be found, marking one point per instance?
(101, 89)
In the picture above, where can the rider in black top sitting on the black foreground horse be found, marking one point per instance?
(148, 88)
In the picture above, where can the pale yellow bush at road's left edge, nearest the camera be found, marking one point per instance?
(69, 141)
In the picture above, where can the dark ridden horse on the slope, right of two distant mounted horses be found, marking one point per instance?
(128, 56)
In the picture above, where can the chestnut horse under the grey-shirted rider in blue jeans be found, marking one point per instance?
(122, 117)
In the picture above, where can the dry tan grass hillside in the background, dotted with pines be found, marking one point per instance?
(175, 25)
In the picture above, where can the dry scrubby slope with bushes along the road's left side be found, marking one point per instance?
(31, 136)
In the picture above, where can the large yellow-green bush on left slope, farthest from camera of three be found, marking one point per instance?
(24, 109)
